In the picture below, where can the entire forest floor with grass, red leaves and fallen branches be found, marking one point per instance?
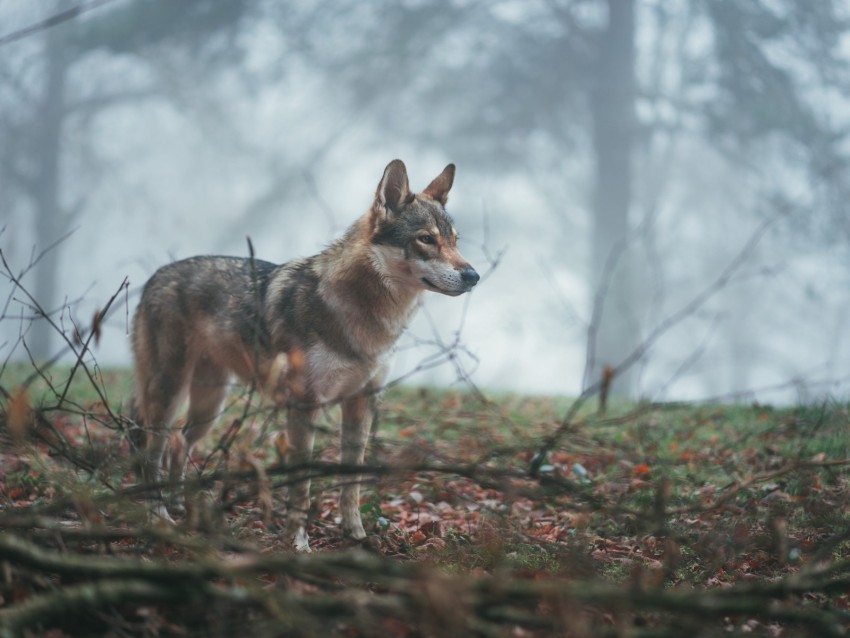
(488, 516)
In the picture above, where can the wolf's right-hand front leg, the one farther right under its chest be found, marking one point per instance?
(356, 422)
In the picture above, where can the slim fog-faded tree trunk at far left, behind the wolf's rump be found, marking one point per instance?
(50, 221)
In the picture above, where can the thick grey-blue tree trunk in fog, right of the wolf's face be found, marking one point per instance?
(615, 331)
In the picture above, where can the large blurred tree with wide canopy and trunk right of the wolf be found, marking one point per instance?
(562, 85)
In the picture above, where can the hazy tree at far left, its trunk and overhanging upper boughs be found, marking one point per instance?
(45, 111)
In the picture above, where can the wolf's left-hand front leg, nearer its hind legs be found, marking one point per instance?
(300, 434)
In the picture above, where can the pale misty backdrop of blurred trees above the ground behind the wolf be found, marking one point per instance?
(658, 182)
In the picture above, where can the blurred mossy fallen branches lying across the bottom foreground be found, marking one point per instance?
(409, 591)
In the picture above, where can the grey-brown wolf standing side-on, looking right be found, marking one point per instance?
(309, 333)
